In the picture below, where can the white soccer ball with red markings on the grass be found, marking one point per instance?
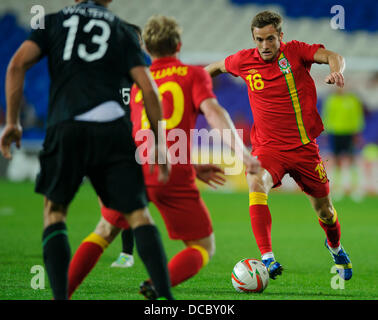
(250, 275)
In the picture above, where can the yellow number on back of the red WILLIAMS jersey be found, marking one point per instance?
(178, 105)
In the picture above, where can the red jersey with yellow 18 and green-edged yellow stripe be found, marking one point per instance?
(282, 95)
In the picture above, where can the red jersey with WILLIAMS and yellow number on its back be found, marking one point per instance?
(182, 88)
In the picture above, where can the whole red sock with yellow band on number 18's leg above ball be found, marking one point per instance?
(261, 221)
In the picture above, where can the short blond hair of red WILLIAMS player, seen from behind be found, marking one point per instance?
(162, 35)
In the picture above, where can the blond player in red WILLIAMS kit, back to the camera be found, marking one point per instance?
(186, 91)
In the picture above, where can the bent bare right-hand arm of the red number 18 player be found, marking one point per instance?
(336, 65)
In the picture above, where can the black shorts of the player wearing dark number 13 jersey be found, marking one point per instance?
(104, 152)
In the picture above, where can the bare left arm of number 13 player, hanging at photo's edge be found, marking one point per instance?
(24, 58)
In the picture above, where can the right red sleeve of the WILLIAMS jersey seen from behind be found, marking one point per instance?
(202, 87)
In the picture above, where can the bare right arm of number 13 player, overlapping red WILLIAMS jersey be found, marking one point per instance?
(142, 77)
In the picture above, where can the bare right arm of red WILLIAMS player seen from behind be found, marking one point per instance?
(218, 118)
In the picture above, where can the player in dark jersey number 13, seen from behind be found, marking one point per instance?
(91, 53)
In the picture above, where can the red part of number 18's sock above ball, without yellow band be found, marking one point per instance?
(261, 222)
